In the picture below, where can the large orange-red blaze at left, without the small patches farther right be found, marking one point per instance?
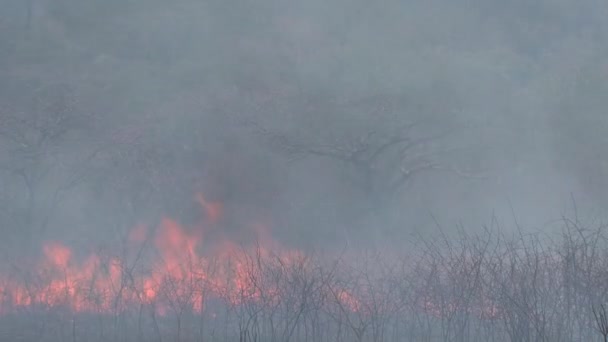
(178, 275)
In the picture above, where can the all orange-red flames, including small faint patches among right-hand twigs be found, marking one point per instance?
(173, 268)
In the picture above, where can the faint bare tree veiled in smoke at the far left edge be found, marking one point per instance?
(43, 156)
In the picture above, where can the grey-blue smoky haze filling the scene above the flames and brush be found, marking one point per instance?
(118, 112)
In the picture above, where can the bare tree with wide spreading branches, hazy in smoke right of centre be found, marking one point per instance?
(381, 159)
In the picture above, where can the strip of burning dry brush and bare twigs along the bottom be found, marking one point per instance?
(488, 286)
